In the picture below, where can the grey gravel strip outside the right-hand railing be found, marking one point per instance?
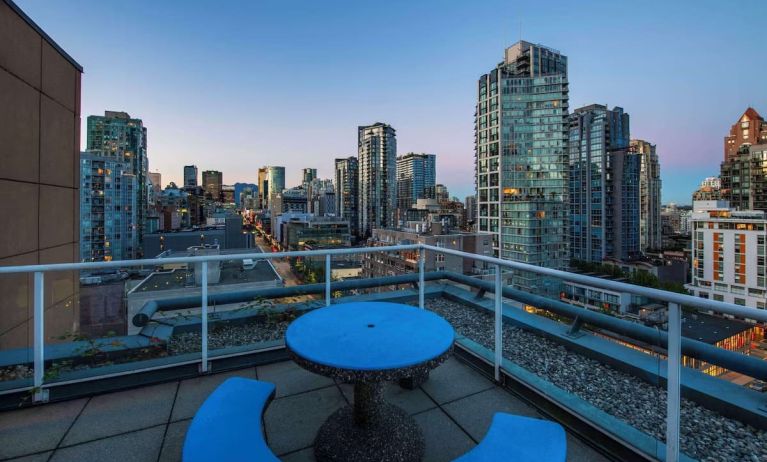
(705, 434)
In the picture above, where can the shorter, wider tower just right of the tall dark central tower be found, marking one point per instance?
(416, 174)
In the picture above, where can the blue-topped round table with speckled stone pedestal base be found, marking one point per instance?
(367, 344)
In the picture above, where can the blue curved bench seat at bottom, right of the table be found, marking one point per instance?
(520, 439)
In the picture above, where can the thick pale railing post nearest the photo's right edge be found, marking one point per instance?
(672, 382)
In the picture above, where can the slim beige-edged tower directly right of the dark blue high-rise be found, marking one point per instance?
(649, 196)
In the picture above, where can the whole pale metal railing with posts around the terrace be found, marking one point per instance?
(675, 302)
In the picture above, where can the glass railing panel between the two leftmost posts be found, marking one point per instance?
(111, 321)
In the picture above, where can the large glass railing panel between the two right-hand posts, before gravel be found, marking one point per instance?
(574, 341)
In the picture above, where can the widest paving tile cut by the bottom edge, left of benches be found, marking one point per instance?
(140, 446)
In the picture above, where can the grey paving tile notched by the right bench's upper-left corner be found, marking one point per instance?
(474, 413)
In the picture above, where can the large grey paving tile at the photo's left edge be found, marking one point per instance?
(36, 429)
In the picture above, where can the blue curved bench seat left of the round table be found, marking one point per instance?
(227, 427)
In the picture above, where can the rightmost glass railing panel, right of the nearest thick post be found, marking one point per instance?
(725, 420)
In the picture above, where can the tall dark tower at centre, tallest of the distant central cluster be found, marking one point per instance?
(377, 155)
